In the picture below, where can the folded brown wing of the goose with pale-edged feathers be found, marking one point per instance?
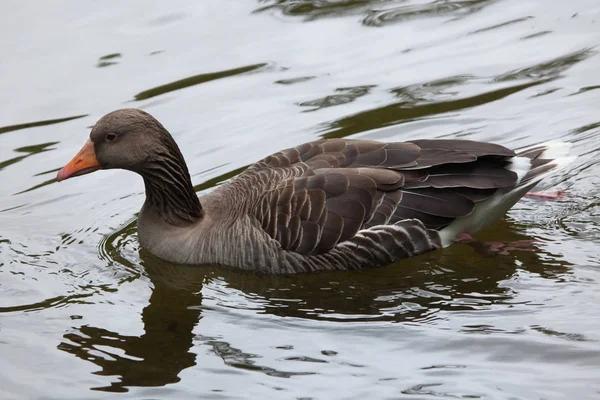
(322, 193)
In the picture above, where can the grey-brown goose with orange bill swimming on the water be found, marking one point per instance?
(331, 204)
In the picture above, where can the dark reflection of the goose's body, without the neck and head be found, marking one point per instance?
(415, 289)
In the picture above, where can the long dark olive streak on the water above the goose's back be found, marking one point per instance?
(426, 99)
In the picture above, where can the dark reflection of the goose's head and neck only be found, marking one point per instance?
(153, 359)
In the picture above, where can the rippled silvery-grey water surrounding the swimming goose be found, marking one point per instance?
(84, 313)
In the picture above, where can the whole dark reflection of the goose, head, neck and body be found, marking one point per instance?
(414, 290)
